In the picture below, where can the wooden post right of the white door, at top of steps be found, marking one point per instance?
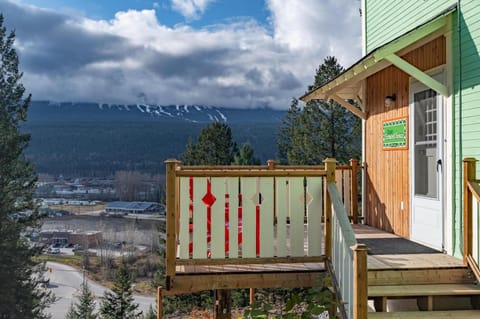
(469, 174)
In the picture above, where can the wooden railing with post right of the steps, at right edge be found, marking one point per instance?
(471, 222)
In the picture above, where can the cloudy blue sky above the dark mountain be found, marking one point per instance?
(230, 53)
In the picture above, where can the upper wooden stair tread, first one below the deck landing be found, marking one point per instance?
(424, 290)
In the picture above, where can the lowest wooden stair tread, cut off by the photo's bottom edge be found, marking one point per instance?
(460, 314)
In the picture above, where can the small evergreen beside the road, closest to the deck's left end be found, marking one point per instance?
(119, 304)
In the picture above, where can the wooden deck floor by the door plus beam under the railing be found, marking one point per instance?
(387, 252)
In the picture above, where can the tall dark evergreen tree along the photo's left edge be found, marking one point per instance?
(21, 295)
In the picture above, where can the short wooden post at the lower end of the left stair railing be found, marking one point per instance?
(360, 281)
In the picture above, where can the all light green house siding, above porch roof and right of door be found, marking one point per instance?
(386, 20)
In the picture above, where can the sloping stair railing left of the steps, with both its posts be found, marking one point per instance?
(348, 258)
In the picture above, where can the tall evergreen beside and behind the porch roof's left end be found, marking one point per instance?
(321, 129)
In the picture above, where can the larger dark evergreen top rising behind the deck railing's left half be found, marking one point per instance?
(215, 147)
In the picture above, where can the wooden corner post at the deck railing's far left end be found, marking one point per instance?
(171, 218)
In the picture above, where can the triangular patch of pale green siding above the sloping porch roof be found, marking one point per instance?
(386, 20)
